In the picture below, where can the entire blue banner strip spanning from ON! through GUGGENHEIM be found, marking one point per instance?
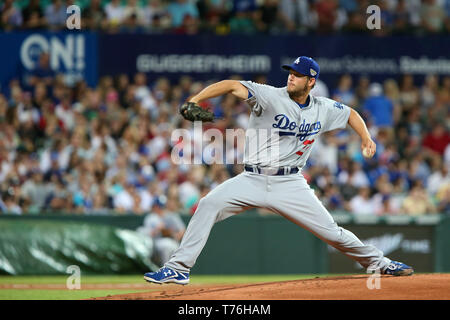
(85, 55)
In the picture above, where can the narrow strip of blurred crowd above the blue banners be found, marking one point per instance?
(231, 16)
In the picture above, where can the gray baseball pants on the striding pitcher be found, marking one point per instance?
(289, 196)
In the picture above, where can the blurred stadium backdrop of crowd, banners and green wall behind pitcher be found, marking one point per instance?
(87, 116)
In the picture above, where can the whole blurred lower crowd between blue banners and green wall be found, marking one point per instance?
(105, 149)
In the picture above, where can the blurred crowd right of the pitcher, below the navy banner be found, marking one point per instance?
(409, 174)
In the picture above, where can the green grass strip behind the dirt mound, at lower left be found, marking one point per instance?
(53, 287)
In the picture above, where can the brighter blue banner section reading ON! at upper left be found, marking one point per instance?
(73, 54)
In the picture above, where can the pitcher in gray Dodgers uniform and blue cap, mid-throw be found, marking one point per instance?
(292, 120)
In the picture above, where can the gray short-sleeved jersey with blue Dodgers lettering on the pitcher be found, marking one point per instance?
(281, 133)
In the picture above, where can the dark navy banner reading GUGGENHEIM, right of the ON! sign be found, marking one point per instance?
(208, 57)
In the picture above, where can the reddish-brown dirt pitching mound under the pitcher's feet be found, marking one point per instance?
(355, 287)
